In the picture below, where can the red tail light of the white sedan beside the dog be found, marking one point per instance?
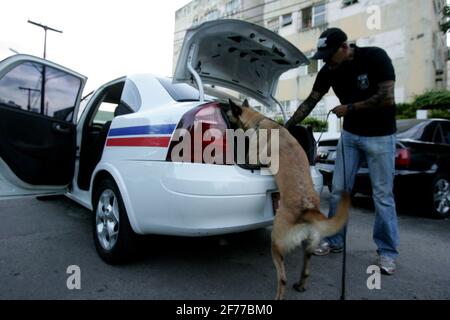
(199, 125)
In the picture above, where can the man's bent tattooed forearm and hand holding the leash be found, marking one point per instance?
(383, 98)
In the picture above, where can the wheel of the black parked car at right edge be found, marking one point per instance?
(441, 196)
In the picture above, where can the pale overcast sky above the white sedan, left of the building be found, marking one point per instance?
(101, 39)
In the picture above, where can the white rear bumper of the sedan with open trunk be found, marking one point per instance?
(195, 199)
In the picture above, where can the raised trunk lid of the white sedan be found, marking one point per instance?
(237, 55)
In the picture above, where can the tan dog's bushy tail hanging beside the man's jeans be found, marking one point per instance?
(329, 227)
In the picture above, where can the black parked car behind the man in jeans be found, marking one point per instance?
(422, 164)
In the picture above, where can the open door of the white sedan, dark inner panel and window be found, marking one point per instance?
(39, 102)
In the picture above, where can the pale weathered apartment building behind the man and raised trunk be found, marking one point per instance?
(407, 29)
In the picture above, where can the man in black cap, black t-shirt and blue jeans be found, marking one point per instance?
(363, 78)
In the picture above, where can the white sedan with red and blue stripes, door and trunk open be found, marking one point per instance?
(115, 158)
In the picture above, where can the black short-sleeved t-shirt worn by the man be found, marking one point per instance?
(357, 80)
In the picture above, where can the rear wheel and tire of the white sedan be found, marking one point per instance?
(115, 240)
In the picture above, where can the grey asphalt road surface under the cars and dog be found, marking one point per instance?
(40, 239)
